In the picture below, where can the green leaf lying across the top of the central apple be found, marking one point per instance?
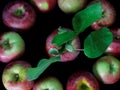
(63, 38)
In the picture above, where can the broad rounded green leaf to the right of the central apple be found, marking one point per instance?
(97, 42)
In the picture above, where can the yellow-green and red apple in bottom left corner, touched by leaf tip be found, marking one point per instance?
(14, 76)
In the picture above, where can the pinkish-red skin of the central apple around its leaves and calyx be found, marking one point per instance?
(65, 56)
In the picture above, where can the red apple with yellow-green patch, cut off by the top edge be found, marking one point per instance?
(45, 5)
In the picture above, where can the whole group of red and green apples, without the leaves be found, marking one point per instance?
(19, 16)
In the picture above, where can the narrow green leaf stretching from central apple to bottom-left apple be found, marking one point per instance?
(34, 73)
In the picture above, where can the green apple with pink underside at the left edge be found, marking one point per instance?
(12, 46)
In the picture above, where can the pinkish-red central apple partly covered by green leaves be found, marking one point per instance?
(64, 54)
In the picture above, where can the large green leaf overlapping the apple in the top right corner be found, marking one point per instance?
(86, 17)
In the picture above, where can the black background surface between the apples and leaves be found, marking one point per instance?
(35, 40)
